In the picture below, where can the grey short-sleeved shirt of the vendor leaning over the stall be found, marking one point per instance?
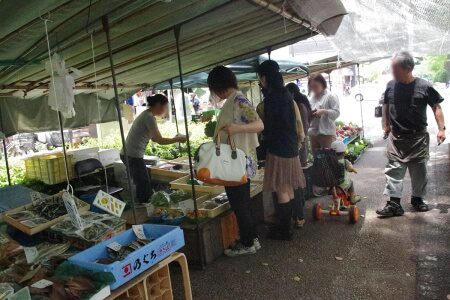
(140, 134)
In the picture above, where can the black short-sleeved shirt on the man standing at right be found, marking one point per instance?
(408, 104)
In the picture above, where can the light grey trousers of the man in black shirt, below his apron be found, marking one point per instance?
(395, 173)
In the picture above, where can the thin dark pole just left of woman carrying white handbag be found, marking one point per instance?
(176, 31)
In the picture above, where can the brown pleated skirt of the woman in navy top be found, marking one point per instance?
(283, 173)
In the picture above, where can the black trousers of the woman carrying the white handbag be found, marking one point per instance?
(239, 197)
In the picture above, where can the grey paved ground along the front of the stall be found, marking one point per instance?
(398, 258)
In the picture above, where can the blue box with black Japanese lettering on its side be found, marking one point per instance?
(165, 241)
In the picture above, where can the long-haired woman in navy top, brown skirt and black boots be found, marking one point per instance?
(283, 173)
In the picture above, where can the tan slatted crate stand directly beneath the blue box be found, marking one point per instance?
(155, 282)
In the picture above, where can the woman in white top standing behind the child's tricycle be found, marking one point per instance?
(325, 111)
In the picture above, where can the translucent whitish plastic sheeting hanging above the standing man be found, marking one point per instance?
(374, 29)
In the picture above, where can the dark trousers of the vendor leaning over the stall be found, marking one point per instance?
(141, 178)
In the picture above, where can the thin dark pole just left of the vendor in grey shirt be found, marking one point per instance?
(105, 23)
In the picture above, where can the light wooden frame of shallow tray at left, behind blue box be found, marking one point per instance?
(83, 206)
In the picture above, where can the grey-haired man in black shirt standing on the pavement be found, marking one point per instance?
(405, 106)
